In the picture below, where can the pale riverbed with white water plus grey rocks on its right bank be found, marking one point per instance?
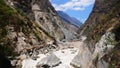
(73, 55)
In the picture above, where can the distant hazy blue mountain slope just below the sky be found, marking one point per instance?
(68, 19)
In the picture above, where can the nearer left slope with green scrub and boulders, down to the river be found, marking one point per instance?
(20, 36)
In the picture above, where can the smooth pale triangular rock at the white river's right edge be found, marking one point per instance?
(82, 59)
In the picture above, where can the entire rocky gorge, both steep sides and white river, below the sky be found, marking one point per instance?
(33, 35)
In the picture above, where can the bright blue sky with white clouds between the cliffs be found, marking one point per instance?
(79, 9)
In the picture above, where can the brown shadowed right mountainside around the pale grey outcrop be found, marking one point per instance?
(104, 18)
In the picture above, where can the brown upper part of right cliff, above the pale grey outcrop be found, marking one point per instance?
(105, 15)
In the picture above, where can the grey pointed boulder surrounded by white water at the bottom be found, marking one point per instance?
(49, 61)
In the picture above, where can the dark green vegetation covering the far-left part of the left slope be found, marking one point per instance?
(8, 17)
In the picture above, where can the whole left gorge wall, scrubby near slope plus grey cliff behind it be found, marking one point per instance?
(30, 27)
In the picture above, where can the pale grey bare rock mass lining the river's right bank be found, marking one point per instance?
(86, 59)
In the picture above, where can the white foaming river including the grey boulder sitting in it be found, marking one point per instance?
(58, 59)
